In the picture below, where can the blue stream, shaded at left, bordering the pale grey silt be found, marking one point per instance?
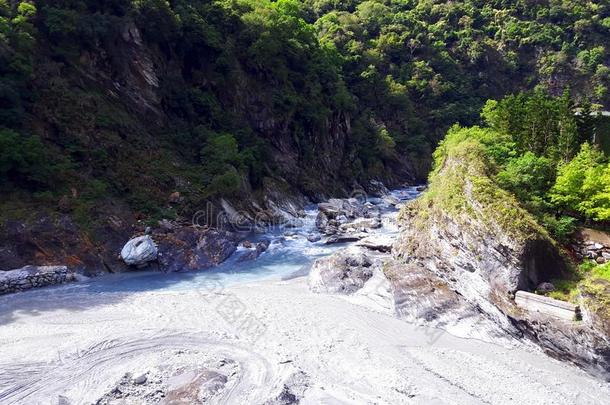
(289, 255)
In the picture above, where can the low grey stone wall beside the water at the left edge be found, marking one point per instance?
(29, 277)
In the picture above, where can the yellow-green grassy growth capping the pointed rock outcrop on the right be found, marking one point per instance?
(463, 185)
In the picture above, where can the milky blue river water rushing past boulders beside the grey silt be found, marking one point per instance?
(290, 253)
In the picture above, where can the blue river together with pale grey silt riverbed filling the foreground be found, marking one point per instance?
(250, 332)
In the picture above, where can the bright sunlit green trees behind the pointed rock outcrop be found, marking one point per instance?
(538, 148)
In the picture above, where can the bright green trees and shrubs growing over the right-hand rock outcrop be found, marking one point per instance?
(532, 170)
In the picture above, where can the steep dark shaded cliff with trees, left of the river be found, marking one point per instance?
(115, 115)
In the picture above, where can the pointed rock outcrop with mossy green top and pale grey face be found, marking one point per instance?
(467, 226)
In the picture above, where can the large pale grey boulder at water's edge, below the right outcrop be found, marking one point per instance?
(344, 272)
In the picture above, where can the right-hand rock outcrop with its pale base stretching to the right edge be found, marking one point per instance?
(475, 241)
